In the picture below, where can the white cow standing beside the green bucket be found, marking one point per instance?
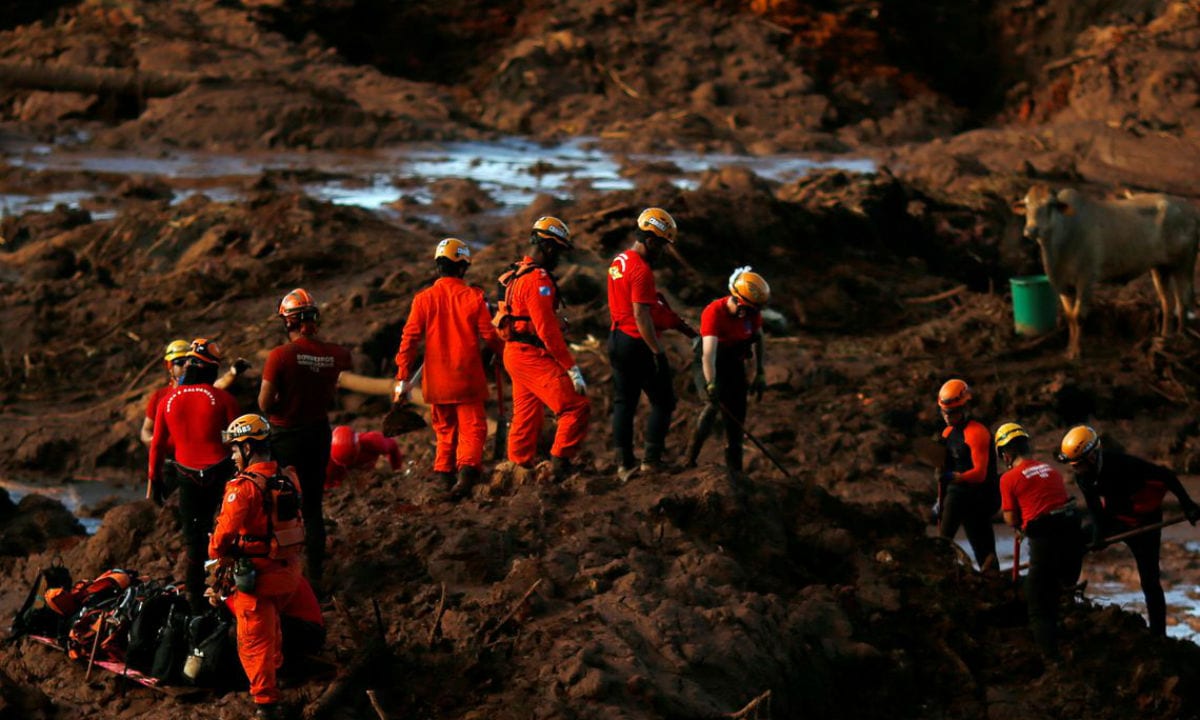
(1085, 241)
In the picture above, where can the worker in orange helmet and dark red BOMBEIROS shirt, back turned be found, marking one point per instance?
(299, 388)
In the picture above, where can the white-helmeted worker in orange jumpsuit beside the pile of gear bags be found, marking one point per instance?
(244, 532)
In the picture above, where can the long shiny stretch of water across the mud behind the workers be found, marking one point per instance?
(513, 172)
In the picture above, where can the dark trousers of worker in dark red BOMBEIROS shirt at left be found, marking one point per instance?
(307, 449)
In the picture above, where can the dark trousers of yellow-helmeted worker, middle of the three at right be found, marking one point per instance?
(1057, 556)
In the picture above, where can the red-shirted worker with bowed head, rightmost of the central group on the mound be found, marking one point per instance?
(731, 332)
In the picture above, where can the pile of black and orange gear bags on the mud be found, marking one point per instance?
(123, 622)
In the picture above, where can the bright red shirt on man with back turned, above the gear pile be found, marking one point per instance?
(195, 417)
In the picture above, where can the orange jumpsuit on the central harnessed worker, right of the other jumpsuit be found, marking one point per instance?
(539, 371)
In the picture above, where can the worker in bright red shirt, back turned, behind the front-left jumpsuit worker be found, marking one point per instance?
(193, 417)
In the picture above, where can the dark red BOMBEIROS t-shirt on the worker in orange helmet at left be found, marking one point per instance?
(304, 373)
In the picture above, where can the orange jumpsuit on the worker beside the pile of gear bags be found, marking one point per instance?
(260, 638)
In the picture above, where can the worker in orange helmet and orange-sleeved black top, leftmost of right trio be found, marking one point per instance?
(968, 488)
